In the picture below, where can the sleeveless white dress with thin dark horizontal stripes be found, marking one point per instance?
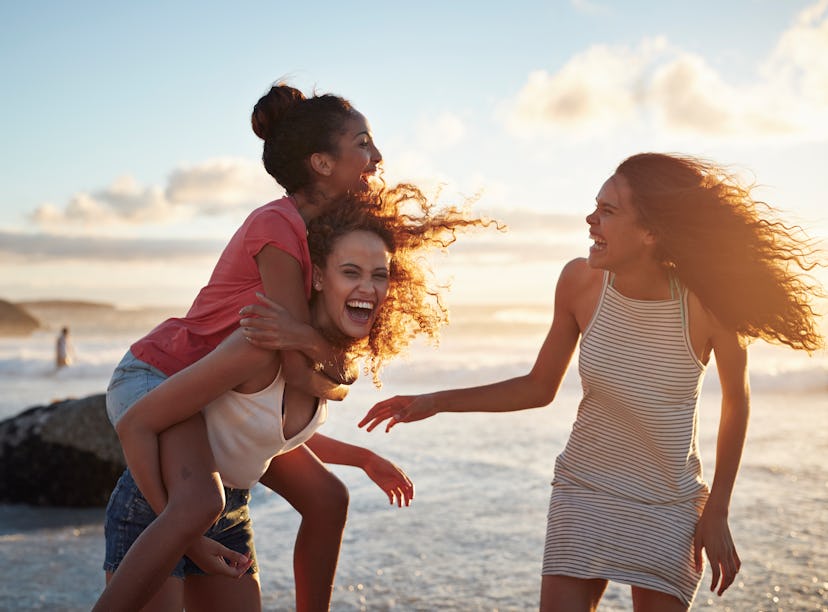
(628, 488)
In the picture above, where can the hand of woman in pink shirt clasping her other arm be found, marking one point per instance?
(270, 326)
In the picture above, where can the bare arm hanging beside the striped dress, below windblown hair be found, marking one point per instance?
(712, 531)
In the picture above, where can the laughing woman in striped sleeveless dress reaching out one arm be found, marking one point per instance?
(684, 264)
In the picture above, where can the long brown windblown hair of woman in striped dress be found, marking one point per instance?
(748, 267)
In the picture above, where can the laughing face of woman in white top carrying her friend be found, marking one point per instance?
(352, 285)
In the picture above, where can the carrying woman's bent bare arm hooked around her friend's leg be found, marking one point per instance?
(177, 399)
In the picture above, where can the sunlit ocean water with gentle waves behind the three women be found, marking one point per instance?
(473, 538)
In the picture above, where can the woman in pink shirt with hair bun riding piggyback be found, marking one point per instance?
(318, 149)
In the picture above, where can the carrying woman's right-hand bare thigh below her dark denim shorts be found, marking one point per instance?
(220, 593)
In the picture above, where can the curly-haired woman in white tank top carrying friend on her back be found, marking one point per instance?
(370, 298)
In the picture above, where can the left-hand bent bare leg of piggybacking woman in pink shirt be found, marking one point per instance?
(195, 500)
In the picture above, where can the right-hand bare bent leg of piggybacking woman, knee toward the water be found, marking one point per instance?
(322, 500)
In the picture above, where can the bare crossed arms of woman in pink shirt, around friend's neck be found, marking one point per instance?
(284, 285)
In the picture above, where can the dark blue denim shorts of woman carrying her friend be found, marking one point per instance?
(128, 514)
